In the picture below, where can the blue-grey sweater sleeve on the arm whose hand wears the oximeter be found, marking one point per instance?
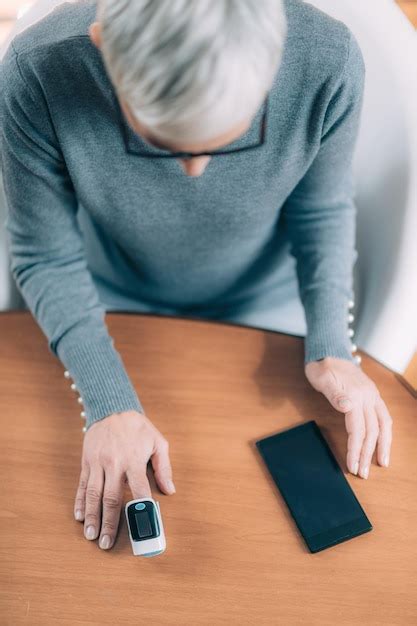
(46, 248)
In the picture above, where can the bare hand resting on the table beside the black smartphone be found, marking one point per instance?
(367, 419)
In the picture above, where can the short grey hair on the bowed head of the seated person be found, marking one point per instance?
(192, 69)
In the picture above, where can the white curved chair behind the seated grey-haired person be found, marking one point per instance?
(385, 166)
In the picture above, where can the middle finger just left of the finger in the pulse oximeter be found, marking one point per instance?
(112, 504)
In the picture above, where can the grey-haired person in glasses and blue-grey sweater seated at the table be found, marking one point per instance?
(187, 157)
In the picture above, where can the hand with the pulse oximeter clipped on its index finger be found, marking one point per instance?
(116, 450)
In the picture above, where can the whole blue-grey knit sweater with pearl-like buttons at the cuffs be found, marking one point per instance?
(176, 243)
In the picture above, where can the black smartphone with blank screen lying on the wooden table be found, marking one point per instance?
(313, 485)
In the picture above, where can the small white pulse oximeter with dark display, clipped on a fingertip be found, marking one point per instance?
(146, 531)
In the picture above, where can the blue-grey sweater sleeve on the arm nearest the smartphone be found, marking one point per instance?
(320, 215)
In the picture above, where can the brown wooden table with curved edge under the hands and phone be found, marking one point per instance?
(234, 554)
